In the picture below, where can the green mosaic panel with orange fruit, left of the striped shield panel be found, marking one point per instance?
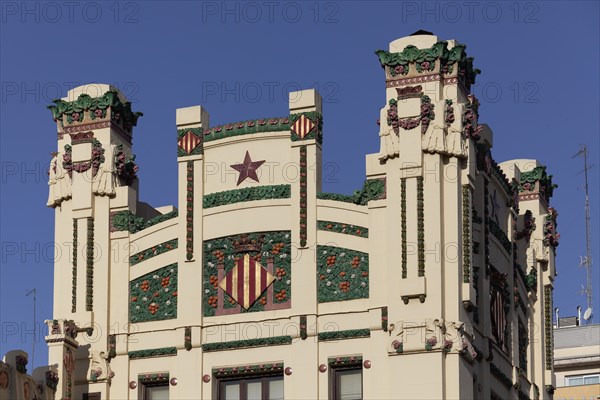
(153, 297)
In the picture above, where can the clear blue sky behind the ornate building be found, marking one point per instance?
(539, 91)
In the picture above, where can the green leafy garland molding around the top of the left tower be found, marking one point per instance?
(86, 109)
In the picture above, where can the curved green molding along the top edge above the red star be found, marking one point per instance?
(246, 128)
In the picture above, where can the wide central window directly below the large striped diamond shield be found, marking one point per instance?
(253, 382)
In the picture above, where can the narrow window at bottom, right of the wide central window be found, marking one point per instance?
(345, 378)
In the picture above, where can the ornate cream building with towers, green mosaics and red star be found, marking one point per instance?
(428, 282)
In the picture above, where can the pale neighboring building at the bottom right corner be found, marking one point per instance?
(577, 362)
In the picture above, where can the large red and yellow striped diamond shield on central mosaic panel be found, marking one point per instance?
(246, 281)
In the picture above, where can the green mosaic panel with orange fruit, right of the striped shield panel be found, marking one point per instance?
(342, 274)
